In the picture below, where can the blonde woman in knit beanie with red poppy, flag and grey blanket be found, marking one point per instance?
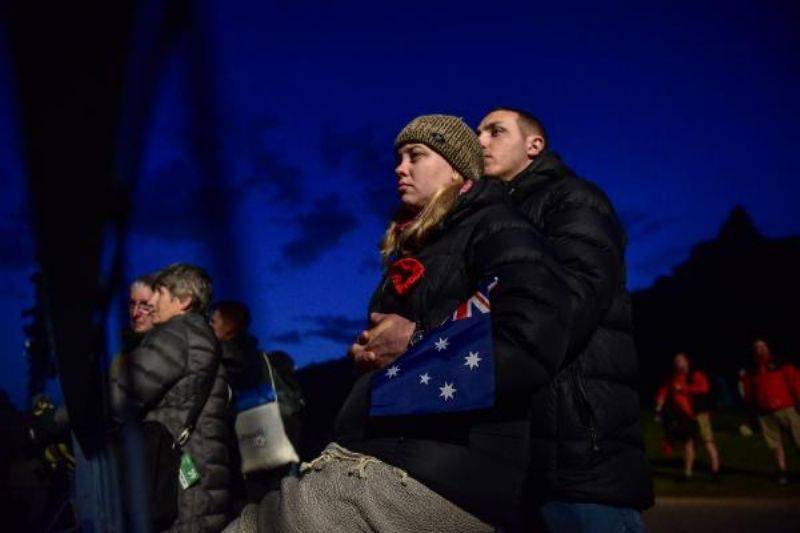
(441, 465)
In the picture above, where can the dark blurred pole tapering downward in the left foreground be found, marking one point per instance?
(69, 62)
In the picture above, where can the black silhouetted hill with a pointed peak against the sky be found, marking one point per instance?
(731, 290)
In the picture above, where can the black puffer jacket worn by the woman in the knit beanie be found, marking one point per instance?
(476, 459)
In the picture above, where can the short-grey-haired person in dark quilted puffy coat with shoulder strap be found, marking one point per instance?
(176, 363)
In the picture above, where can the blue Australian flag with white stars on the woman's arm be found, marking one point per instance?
(451, 369)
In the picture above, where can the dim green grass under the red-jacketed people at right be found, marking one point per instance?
(748, 466)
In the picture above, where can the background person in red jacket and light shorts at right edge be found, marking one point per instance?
(773, 390)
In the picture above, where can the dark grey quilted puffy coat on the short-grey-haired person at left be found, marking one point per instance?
(162, 378)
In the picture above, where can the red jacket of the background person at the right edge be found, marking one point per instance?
(771, 388)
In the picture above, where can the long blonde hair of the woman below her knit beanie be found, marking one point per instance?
(401, 240)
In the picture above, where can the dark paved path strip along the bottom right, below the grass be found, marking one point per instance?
(728, 515)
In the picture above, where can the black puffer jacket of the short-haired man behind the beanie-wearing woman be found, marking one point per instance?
(586, 436)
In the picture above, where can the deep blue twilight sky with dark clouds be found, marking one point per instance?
(679, 112)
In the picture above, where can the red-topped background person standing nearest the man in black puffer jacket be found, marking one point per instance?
(680, 392)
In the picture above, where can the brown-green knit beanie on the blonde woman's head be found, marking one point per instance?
(450, 137)
